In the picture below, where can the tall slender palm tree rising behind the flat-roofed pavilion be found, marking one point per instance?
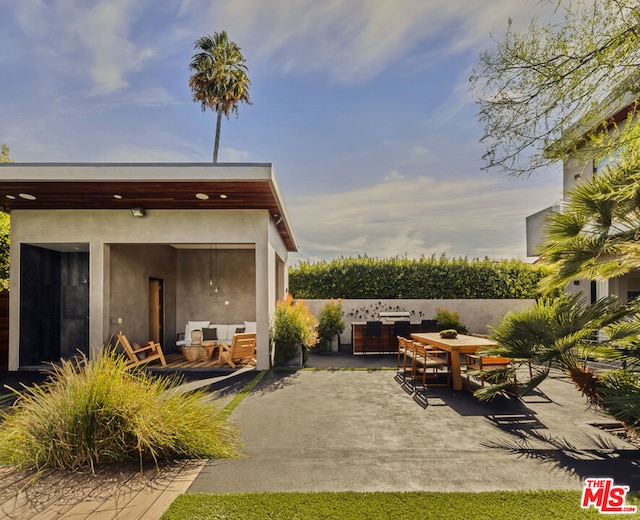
(220, 80)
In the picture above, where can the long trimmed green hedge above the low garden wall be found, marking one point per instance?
(426, 278)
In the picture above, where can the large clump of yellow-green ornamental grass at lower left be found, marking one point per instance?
(98, 411)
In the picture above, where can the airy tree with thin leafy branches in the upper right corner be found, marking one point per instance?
(541, 89)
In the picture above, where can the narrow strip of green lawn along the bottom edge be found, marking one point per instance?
(535, 505)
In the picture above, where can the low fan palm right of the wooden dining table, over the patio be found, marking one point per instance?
(560, 334)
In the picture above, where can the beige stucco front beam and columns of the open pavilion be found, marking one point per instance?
(99, 228)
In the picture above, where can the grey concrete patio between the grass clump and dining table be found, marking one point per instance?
(336, 430)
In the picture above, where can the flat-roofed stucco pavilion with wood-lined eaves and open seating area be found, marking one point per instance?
(142, 248)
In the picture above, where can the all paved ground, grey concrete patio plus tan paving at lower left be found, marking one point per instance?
(347, 424)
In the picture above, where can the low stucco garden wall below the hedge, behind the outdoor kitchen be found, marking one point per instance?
(474, 314)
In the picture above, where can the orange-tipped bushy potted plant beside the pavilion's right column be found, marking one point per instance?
(293, 332)
